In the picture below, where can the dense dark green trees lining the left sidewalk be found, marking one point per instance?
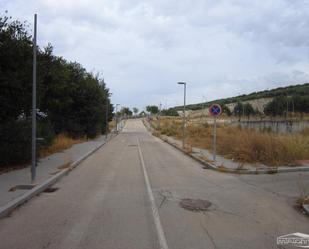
(70, 99)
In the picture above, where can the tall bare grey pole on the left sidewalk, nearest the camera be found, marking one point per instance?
(33, 159)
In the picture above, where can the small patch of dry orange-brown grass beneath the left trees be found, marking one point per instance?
(61, 142)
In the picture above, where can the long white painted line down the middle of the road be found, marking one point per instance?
(155, 213)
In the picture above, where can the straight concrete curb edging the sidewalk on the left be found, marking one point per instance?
(9, 207)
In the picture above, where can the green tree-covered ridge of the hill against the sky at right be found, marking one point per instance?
(299, 90)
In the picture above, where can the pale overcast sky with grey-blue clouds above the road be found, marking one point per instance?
(221, 48)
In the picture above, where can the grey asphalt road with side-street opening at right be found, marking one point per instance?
(106, 202)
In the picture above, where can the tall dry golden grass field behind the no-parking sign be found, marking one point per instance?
(244, 145)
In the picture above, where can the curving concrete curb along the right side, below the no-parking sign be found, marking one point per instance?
(270, 170)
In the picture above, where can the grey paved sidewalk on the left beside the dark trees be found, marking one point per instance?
(47, 167)
